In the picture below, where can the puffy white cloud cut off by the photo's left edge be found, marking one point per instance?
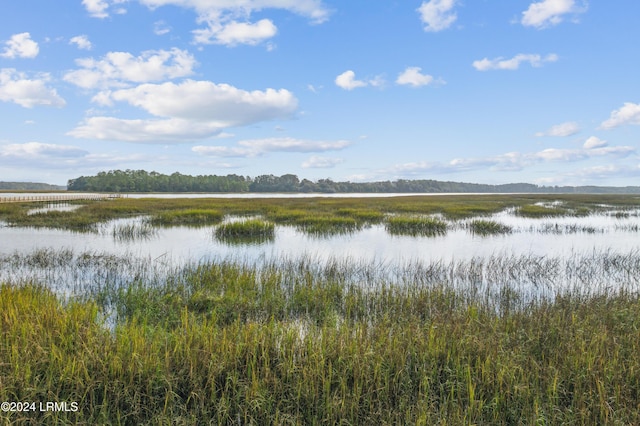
(18, 88)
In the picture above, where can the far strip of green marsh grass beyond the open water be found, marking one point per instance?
(285, 211)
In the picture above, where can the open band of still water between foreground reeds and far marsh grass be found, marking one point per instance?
(554, 237)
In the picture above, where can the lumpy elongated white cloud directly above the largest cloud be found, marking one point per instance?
(119, 69)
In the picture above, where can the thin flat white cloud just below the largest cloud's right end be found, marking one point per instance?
(257, 147)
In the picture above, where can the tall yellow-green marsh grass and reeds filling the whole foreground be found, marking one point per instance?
(298, 342)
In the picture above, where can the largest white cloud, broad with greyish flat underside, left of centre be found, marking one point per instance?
(186, 111)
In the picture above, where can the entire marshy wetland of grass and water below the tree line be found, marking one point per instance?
(448, 309)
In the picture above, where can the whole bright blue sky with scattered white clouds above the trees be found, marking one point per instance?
(545, 92)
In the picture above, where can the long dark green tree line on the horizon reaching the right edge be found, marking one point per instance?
(143, 181)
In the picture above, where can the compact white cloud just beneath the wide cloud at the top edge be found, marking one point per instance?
(234, 33)
